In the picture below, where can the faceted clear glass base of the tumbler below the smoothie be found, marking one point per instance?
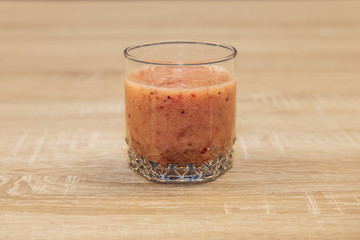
(152, 171)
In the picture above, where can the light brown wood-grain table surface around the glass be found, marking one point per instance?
(63, 165)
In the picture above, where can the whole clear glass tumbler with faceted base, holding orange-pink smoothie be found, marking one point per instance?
(180, 109)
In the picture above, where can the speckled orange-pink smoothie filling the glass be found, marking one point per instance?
(180, 114)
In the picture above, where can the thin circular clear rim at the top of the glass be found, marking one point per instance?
(232, 55)
